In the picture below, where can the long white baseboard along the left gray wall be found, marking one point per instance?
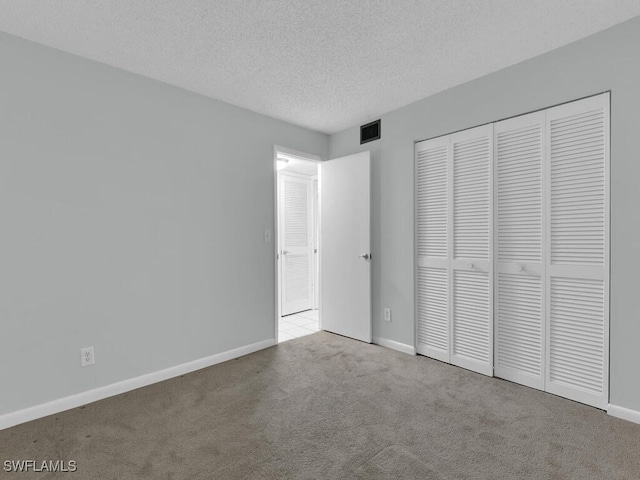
(66, 403)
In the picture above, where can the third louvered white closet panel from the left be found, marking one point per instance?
(519, 248)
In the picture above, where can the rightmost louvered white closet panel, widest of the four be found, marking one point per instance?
(578, 245)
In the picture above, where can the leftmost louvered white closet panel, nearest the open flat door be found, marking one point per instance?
(432, 185)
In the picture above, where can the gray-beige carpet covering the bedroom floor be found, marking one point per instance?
(324, 406)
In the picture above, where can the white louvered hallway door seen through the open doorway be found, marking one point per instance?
(296, 244)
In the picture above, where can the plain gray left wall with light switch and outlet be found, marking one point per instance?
(131, 219)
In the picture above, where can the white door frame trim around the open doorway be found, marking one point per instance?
(308, 157)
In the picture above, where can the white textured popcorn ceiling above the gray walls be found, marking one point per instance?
(326, 65)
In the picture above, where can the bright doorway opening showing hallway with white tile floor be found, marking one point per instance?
(297, 238)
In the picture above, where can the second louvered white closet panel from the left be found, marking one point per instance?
(471, 245)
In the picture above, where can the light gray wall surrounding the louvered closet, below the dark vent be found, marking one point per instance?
(609, 60)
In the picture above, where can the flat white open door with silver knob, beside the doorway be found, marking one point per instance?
(345, 246)
